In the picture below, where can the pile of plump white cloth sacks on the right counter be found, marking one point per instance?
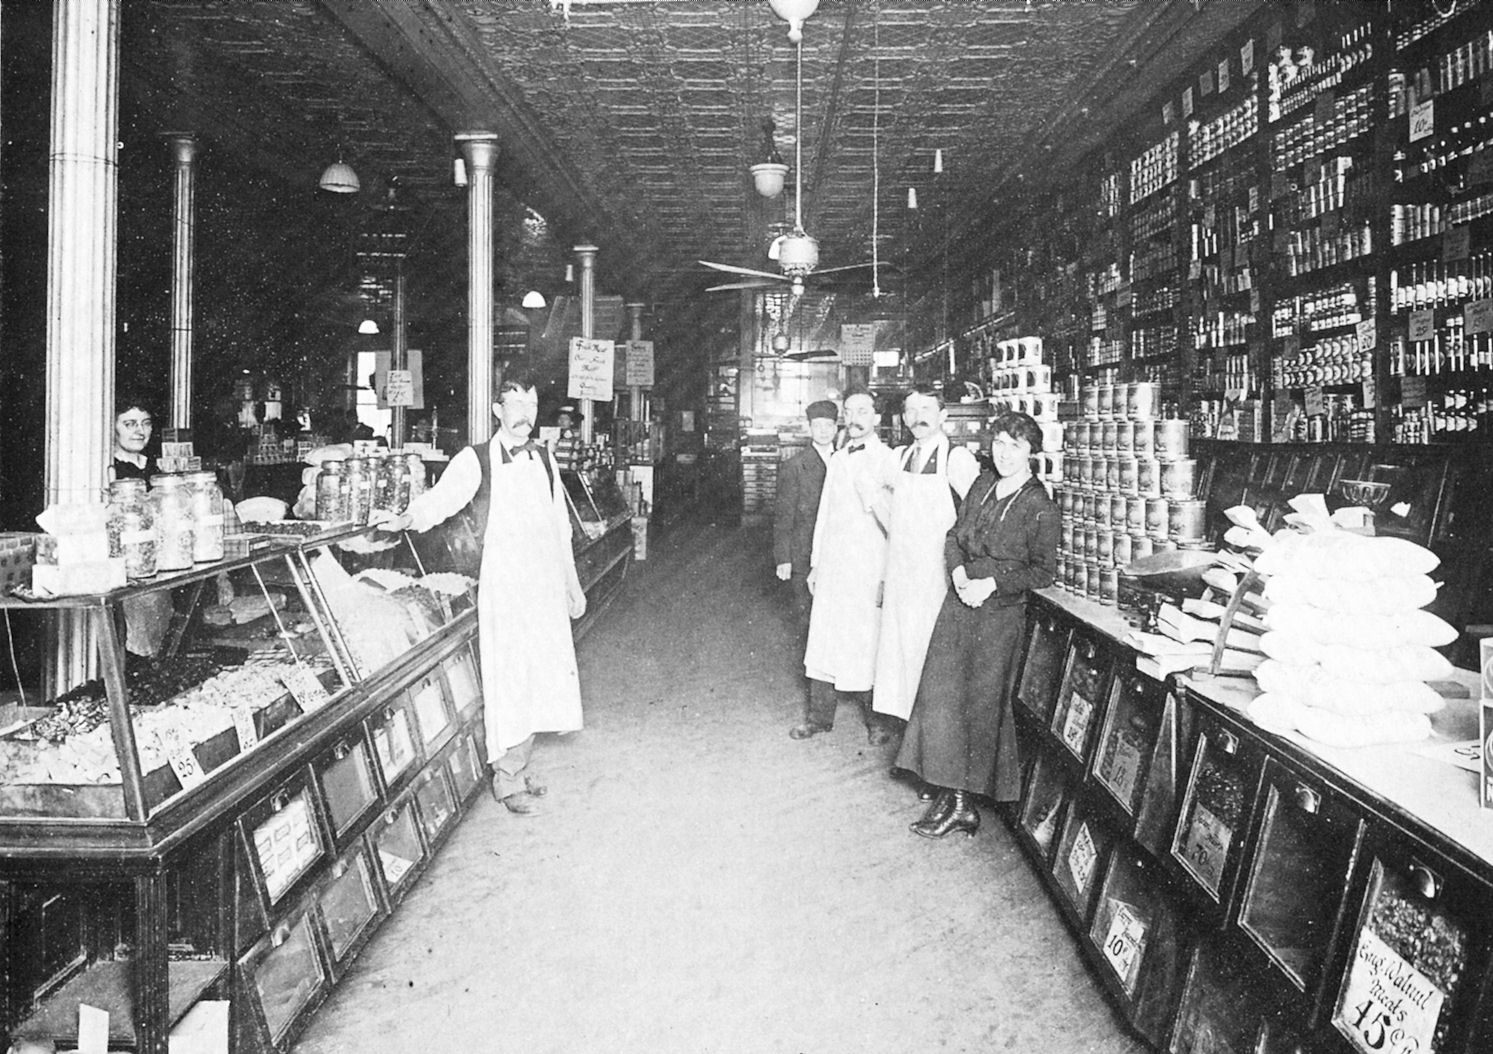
(1350, 650)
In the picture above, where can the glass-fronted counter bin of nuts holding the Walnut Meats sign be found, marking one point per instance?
(1418, 955)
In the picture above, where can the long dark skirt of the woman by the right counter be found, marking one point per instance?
(962, 734)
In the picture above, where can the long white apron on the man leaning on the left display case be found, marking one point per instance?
(529, 676)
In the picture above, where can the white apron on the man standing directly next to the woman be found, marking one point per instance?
(917, 583)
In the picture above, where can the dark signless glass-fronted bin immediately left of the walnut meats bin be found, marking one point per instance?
(1300, 873)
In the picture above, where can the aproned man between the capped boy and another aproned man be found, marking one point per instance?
(847, 562)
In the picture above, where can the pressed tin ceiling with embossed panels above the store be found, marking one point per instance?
(632, 123)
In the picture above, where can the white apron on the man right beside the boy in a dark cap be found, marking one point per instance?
(850, 553)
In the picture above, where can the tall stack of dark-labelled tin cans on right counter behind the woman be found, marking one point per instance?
(1129, 487)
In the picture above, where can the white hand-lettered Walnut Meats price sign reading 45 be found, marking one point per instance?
(1388, 1005)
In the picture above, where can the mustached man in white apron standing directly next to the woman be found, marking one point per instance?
(931, 475)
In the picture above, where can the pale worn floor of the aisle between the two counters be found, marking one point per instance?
(702, 883)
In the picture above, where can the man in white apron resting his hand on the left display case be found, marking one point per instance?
(528, 589)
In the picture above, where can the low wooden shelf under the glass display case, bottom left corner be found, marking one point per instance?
(108, 986)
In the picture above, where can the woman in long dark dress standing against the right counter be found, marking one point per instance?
(961, 740)
